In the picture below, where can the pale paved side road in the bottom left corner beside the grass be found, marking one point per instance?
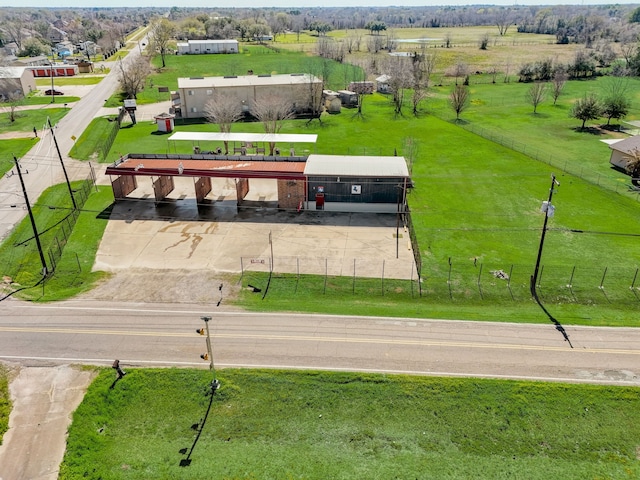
(43, 400)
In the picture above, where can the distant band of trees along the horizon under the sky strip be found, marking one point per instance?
(586, 24)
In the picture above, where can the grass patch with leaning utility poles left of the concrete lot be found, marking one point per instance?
(19, 254)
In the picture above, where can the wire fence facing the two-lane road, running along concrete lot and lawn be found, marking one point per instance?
(449, 280)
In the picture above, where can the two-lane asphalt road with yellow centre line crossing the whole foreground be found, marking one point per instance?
(165, 335)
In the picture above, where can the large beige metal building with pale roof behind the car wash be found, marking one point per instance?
(303, 90)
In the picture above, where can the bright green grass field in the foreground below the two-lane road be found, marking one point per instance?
(318, 425)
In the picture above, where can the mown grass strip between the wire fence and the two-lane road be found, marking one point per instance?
(401, 298)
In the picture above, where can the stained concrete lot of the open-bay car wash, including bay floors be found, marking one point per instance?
(221, 237)
